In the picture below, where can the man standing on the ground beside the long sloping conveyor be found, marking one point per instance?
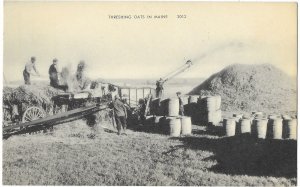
(120, 114)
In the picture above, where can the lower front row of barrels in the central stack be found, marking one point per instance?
(173, 126)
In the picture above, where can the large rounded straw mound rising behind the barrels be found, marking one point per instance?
(251, 88)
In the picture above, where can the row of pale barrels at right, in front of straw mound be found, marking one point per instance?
(273, 127)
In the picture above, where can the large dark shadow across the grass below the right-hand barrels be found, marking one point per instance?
(246, 155)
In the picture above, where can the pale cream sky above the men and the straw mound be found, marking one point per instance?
(212, 35)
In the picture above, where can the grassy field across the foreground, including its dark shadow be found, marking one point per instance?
(79, 155)
